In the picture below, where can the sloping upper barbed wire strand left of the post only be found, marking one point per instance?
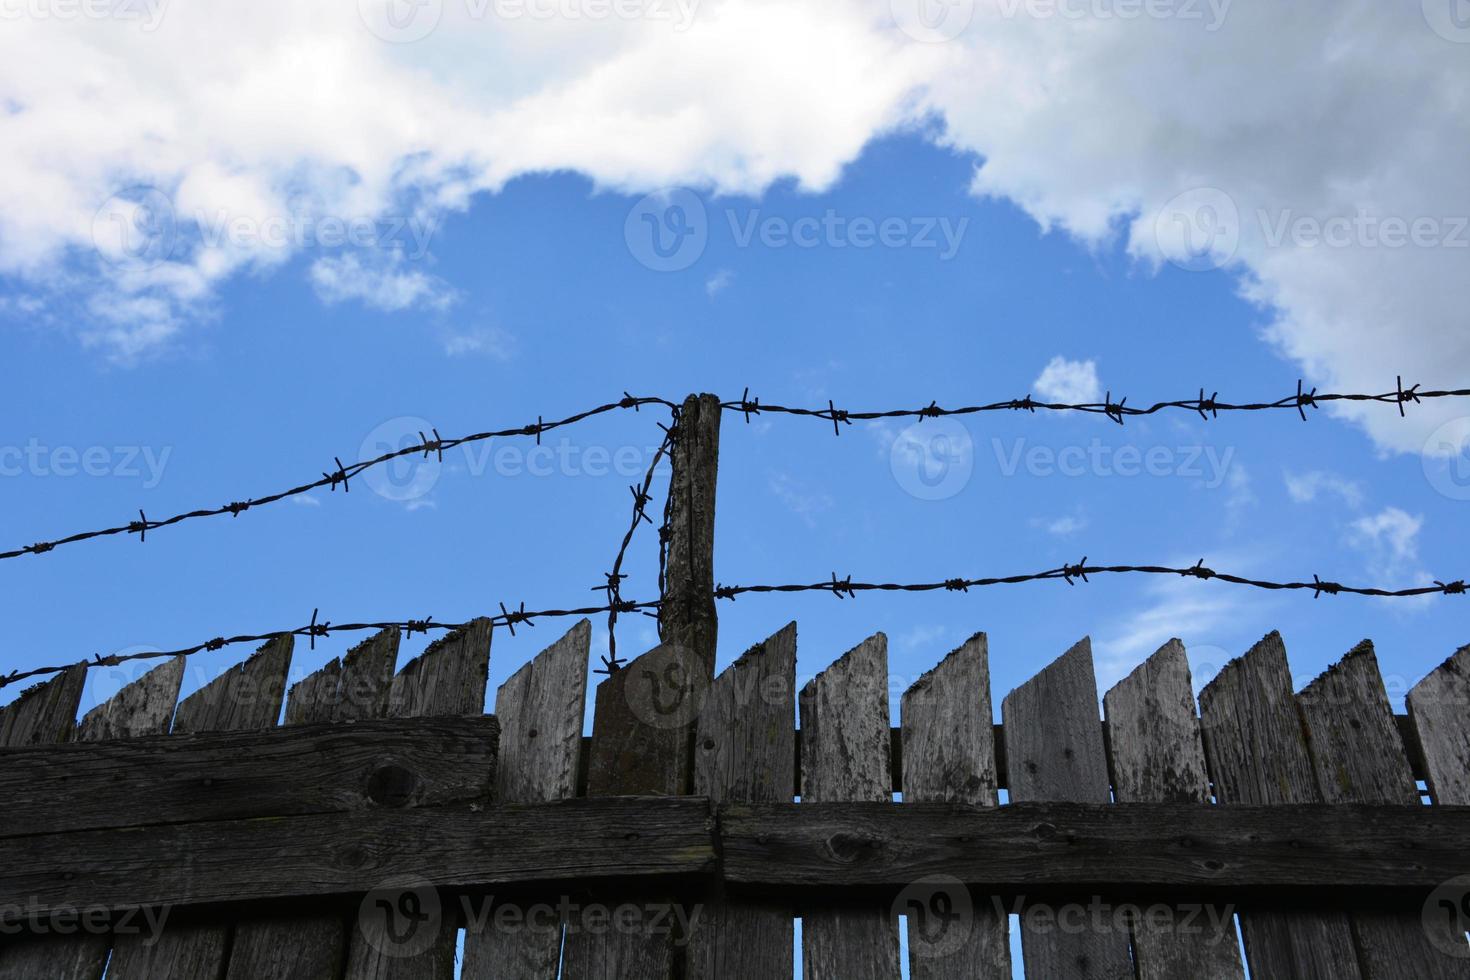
(342, 474)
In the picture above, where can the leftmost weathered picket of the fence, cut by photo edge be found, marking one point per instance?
(46, 715)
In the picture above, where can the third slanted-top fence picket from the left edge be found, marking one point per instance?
(245, 697)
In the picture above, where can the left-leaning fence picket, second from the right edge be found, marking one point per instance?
(1360, 759)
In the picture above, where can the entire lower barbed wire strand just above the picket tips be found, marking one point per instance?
(842, 588)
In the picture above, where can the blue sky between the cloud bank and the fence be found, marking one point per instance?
(542, 308)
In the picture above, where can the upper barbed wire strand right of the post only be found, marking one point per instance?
(1206, 408)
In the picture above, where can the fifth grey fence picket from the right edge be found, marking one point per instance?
(1055, 747)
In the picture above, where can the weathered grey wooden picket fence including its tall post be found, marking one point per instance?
(389, 816)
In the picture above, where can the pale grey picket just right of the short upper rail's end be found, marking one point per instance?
(540, 709)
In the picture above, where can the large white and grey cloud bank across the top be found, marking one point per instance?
(1308, 151)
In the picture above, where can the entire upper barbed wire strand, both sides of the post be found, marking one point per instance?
(1118, 412)
